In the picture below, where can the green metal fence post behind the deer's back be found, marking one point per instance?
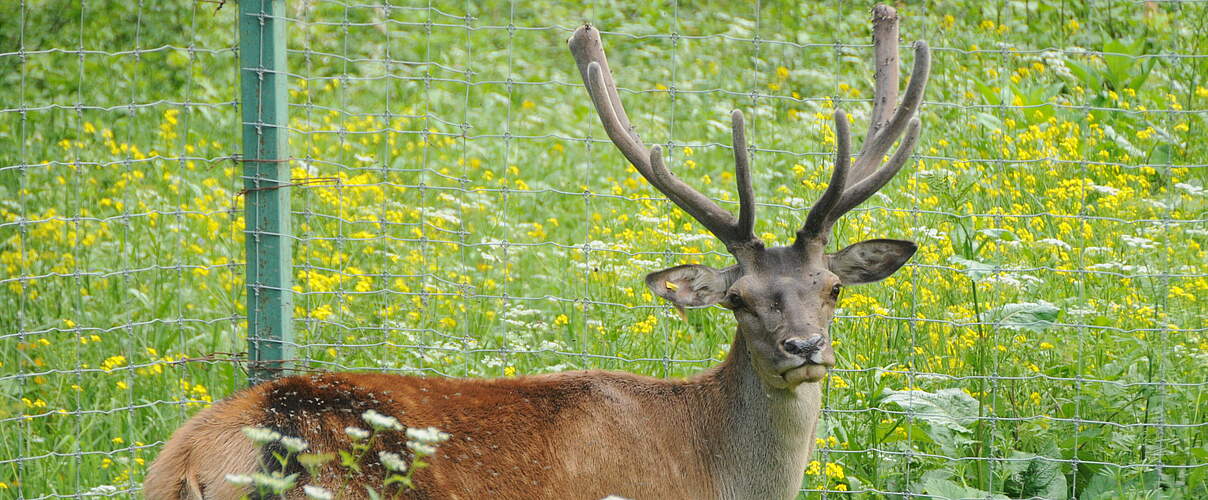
(266, 173)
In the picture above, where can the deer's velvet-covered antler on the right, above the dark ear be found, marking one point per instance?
(887, 125)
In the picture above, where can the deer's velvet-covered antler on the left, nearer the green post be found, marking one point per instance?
(589, 53)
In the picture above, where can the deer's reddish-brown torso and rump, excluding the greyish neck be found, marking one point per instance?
(568, 435)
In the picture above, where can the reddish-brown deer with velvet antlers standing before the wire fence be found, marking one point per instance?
(742, 429)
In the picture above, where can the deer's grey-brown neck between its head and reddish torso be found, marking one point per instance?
(768, 434)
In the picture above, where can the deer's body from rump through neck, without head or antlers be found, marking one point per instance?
(574, 435)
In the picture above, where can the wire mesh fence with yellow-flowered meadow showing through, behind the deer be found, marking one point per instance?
(457, 211)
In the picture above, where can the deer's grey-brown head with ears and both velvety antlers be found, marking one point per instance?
(785, 296)
